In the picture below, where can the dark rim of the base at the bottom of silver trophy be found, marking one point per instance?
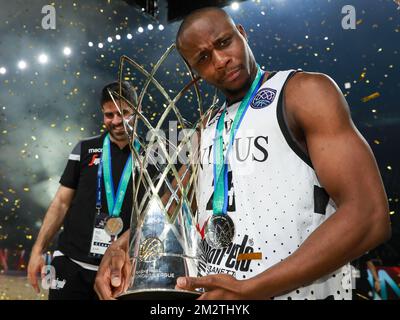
(159, 294)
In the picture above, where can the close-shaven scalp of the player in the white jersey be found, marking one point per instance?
(214, 13)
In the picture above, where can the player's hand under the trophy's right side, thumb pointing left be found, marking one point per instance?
(217, 287)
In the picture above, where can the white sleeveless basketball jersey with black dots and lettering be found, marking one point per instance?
(274, 198)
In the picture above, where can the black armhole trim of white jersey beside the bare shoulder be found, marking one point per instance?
(284, 127)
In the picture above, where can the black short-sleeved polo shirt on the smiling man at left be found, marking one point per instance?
(81, 174)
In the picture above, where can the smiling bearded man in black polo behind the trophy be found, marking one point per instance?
(93, 203)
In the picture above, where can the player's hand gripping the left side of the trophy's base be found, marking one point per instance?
(114, 272)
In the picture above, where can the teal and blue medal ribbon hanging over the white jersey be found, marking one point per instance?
(220, 198)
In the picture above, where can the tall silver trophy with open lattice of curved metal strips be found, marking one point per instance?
(163, 237)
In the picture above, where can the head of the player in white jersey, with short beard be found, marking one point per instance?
(216, 50)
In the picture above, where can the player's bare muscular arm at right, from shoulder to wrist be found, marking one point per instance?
(346, 168)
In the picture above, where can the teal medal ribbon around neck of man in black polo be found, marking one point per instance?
(114, 200)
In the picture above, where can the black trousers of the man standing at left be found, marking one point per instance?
(72, 281)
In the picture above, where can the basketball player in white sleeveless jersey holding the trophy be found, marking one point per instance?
(300, 195)
